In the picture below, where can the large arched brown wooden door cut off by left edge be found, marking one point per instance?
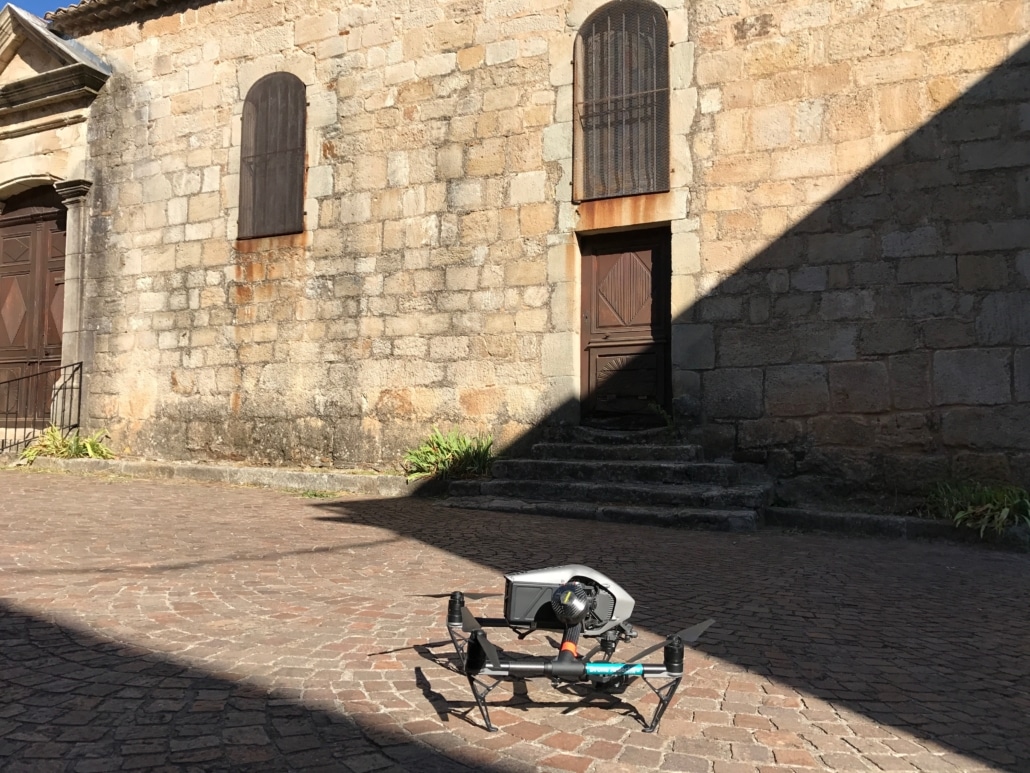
(32, 264)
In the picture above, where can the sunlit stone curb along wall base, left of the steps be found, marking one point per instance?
(294, 480)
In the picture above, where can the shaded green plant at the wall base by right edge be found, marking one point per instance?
(981, 507)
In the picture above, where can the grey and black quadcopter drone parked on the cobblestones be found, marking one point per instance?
(578, 601)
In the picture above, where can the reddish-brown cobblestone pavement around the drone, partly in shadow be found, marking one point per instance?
(160, 626)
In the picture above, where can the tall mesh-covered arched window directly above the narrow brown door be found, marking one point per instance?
(623, 102)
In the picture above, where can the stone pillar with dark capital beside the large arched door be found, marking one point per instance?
(75, 344)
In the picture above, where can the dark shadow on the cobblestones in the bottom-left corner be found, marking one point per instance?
(102, 705)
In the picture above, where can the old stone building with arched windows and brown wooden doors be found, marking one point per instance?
(306, 233)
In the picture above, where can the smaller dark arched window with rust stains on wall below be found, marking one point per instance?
(272, 158)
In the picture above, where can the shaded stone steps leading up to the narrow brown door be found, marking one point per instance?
(639, 478)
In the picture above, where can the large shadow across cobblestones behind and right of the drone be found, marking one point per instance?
(932, 641)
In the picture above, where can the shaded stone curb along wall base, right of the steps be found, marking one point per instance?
(898, 527)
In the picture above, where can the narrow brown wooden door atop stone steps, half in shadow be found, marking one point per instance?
(626, 357)
